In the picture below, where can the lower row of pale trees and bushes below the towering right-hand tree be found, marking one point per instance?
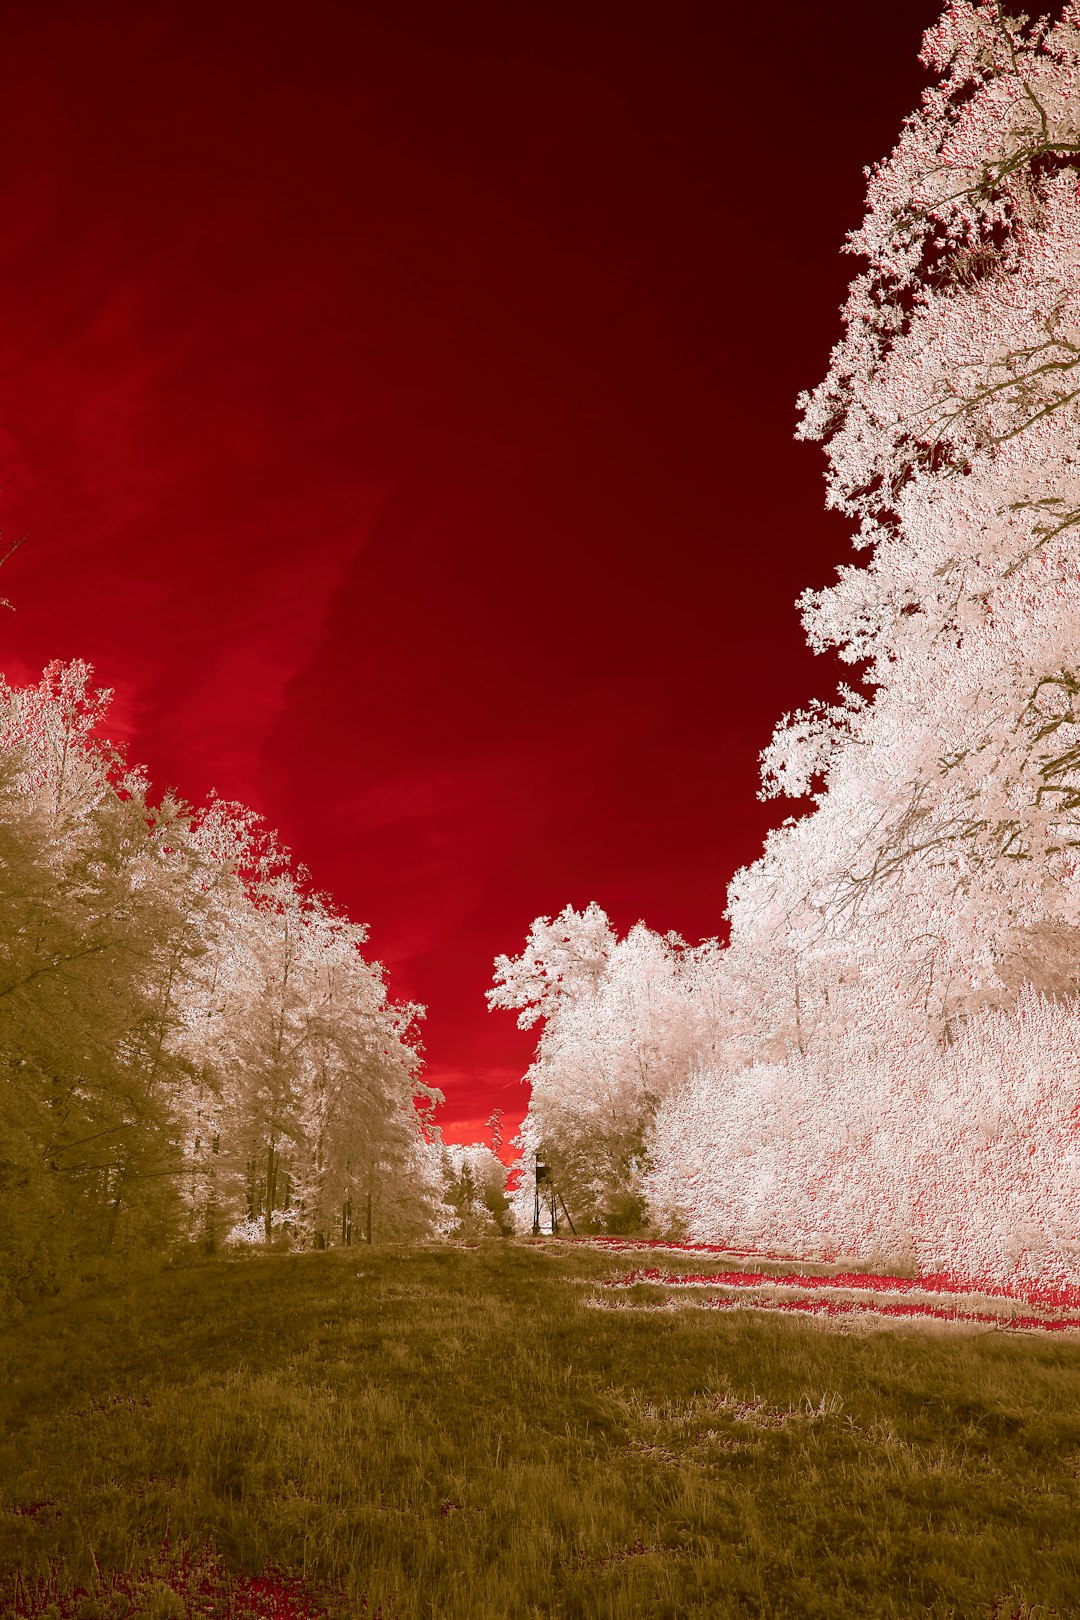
(741, 1098)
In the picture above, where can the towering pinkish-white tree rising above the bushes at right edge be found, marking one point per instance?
(951, 414)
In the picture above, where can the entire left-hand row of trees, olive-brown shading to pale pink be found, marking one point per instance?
(193, 1041)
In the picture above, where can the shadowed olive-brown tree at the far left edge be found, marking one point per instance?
(96, 927)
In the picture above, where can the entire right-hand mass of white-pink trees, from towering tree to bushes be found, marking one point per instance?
(887, 1054)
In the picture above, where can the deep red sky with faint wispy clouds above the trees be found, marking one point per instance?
(399, 403)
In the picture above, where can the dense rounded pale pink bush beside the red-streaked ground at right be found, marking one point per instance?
(963, 1161)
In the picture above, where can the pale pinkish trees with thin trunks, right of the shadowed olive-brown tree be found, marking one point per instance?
(313, 1080)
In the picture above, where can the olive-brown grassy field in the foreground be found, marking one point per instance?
(457, 1435)
